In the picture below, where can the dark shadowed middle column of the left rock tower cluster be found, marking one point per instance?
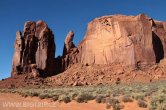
(30, 45)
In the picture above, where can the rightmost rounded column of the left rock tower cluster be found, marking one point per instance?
(45, 53)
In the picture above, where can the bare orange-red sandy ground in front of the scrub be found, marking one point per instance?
(6, 98)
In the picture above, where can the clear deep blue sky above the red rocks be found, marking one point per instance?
(63, 16)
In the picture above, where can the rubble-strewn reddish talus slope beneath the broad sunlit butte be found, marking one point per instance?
(79, 75)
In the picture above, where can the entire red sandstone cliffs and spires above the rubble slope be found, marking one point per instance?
(131, 41)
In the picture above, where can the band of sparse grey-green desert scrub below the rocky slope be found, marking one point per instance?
(113, 96)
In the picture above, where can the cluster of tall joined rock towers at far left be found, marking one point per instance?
(35, 47)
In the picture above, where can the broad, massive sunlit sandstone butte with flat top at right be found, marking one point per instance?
(128, 40)
